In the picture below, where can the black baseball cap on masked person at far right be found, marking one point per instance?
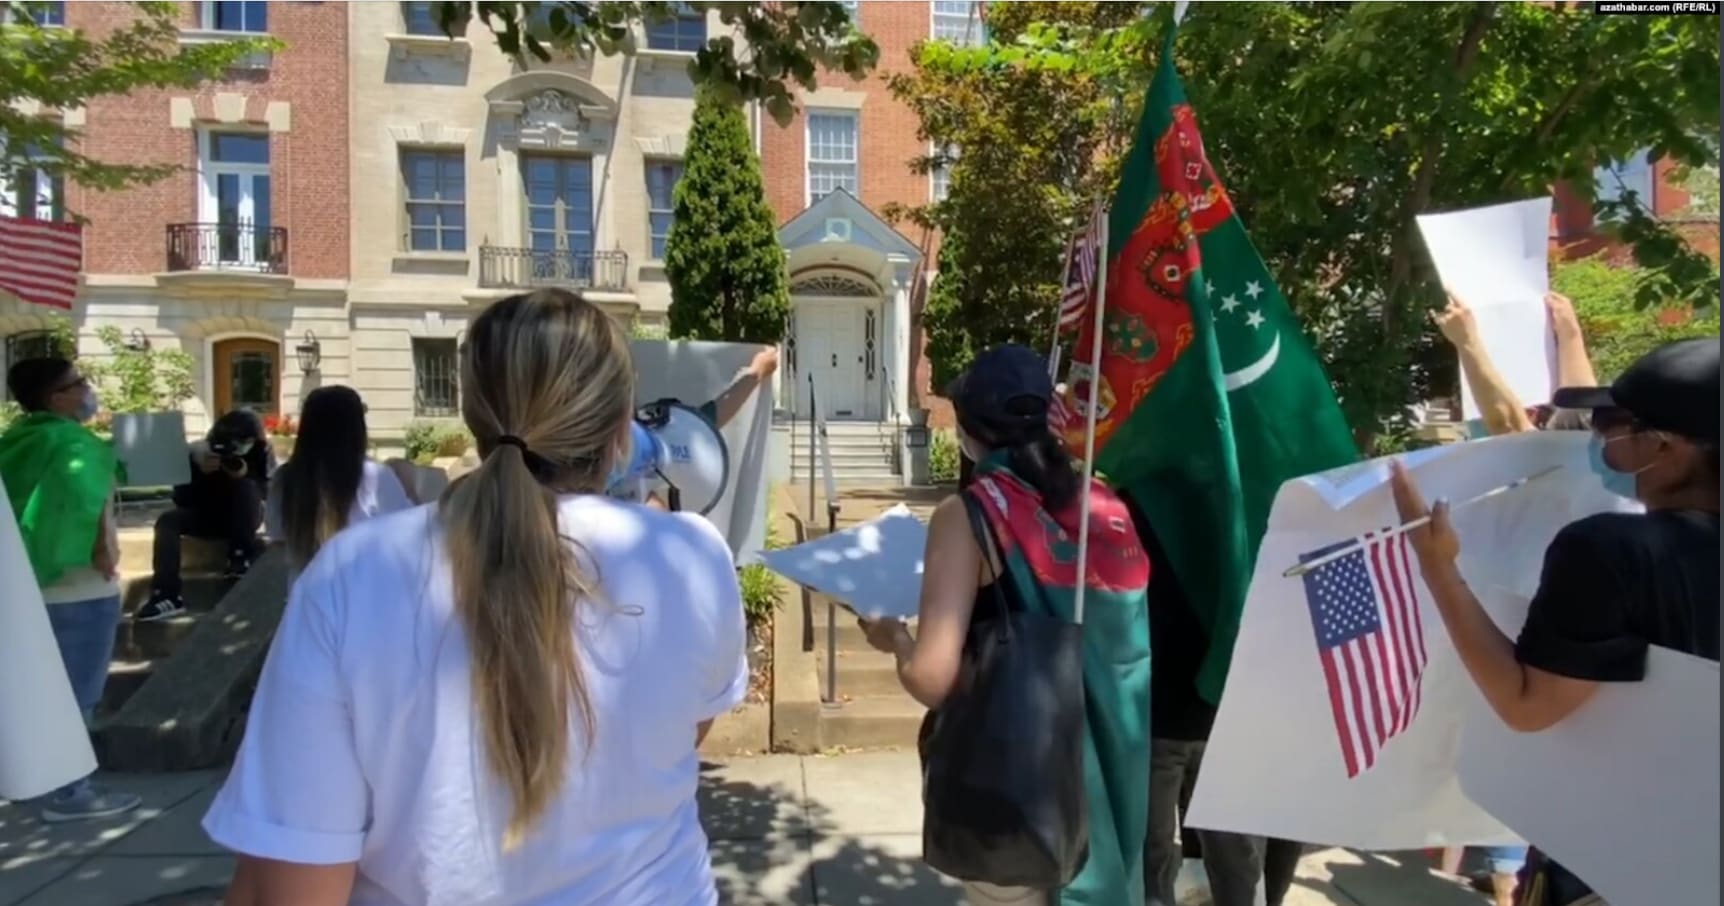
(1673, 388)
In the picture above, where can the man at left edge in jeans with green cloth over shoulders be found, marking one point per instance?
(59, 480)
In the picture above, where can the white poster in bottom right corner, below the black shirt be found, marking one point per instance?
(1625, 793)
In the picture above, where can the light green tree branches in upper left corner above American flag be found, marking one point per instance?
(47, 70)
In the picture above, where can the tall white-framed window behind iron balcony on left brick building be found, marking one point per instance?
(235, 201)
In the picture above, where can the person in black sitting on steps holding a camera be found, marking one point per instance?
(225, 500)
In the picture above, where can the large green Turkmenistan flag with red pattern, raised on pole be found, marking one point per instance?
(1209, 394)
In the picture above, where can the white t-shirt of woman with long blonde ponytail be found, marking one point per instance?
(363, 742)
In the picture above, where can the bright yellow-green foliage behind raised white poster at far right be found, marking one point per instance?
(1616, 332)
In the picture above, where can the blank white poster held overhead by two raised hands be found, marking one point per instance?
(1497, 261)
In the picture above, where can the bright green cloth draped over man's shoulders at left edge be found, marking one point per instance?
(59, 478)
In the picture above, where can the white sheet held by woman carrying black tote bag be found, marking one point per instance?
(873, 569)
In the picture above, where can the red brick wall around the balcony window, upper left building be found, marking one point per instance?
(309, 159)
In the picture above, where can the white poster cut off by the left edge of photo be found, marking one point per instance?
(44, 743)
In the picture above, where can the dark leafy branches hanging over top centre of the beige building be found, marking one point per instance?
(768, 53)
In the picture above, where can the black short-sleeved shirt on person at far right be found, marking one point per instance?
(1618, 583)
